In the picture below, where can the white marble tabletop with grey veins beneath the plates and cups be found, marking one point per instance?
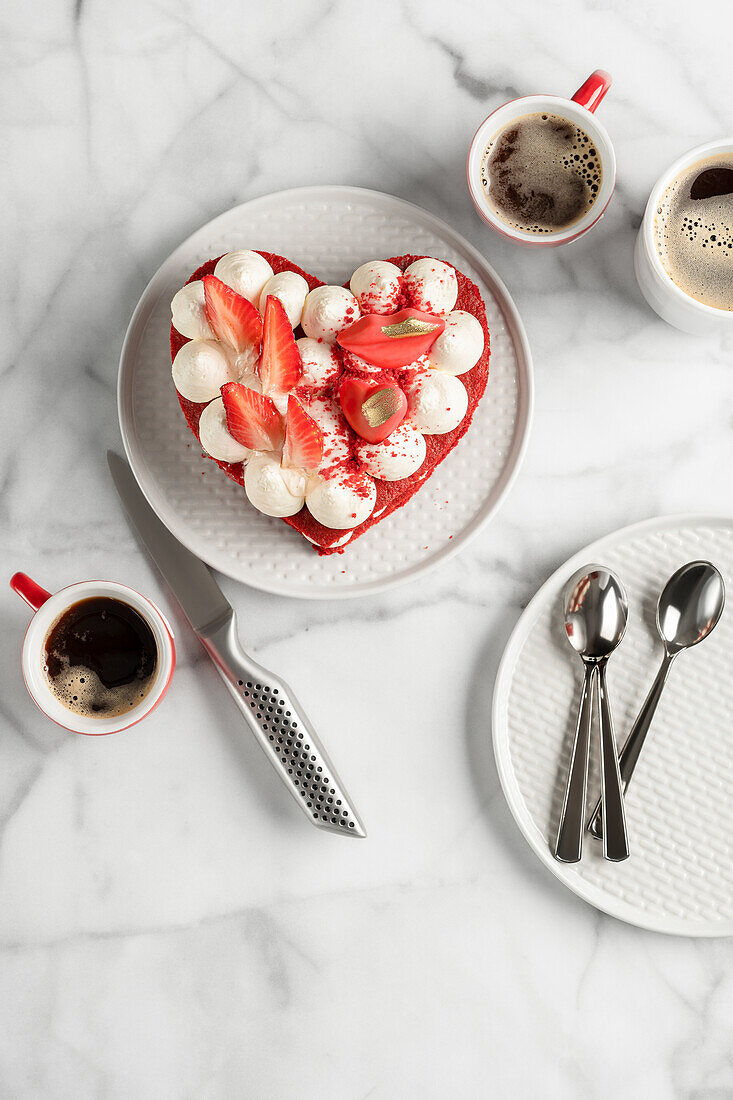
(170, 927)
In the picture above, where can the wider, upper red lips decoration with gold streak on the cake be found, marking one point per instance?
(392, 342)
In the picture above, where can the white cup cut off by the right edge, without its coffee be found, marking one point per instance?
(668, 300)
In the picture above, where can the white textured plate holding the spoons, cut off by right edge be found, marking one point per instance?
(680, 810)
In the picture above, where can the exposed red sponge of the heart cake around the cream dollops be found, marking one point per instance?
(390, 496)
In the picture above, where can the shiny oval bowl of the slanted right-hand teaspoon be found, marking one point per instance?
(691, 606)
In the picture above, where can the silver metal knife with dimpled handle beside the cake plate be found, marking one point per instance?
(268, 705)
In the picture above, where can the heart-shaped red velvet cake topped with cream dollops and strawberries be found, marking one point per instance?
(331, 406)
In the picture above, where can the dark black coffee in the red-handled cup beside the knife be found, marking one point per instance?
(101, 658)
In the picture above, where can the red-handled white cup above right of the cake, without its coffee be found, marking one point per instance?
(578, 111)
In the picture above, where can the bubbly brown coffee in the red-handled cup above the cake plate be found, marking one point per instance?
(542, 173)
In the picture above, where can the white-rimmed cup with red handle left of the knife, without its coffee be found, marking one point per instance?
(49, 610)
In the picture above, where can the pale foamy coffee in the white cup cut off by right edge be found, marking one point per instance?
(694, 232)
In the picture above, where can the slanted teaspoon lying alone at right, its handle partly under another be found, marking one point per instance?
(690, 608)
